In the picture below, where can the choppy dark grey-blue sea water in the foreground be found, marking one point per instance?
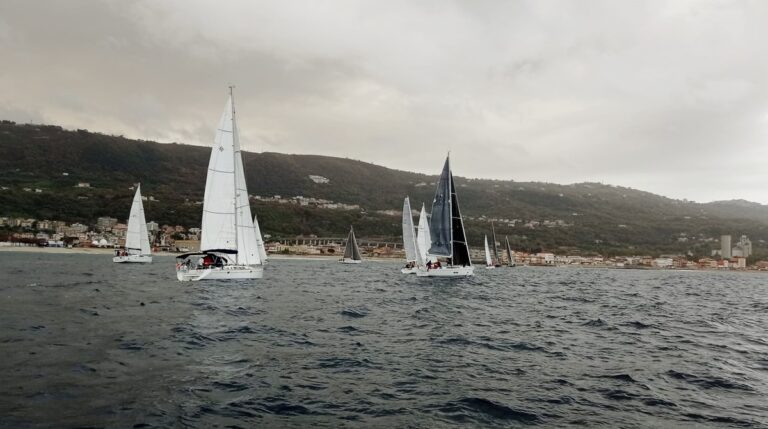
(85, 342)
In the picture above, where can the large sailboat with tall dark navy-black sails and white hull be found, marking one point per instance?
(446, 230)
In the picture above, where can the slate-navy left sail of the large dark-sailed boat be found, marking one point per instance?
(441, 220)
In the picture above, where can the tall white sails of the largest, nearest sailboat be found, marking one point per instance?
(227, 222)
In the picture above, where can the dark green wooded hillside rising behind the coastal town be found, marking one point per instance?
(593, 216)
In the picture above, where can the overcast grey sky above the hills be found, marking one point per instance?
(669, 97)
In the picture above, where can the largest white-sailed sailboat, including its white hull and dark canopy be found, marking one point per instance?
(228, 240)
